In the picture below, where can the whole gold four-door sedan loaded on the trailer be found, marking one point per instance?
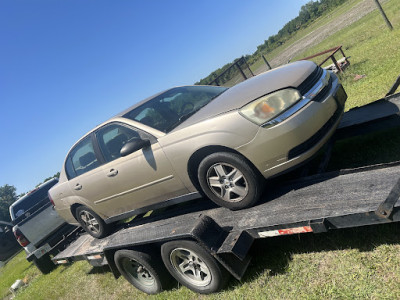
(195, 141)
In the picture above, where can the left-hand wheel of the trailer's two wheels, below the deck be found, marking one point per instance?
(143, 271)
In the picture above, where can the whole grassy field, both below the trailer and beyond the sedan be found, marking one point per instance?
(360, 263)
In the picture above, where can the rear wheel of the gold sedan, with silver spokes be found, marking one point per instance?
(91, 222)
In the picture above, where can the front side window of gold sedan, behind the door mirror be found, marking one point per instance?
(113, 137)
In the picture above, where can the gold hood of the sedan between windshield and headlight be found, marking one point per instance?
(290, 75)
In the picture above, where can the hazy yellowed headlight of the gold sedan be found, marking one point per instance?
(270, 106)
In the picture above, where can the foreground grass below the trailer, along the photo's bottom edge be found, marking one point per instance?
(359, 263)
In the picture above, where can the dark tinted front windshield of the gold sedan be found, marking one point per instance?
(167, 110)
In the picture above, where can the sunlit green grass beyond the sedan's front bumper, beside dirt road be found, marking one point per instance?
(374, 52)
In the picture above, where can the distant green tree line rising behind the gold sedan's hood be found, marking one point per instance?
(307, 14)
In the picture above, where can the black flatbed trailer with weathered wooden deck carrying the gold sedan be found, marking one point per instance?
(314, 203)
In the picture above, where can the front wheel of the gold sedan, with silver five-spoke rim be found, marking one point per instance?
(249, 185)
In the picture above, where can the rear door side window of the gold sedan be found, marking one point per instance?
(81, 159)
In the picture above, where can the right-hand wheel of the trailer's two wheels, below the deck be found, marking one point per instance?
(194, 267)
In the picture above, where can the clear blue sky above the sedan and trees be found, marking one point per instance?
(66, 66)
